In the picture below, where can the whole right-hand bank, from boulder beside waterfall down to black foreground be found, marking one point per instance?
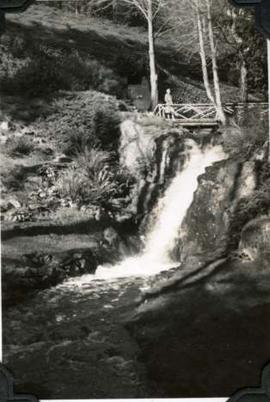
(212, 316)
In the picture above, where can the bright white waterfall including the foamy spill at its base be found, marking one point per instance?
(171, 211)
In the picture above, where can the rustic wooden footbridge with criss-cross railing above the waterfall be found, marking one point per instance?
(203, 114)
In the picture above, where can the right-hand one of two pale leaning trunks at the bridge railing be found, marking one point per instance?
(220, 111)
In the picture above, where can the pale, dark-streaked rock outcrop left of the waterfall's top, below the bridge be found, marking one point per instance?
(152, 150)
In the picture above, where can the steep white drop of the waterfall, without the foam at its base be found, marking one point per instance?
(177, 199)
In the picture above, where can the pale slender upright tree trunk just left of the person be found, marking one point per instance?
(152, 63)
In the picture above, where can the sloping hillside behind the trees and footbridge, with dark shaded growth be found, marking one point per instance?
(45, 49)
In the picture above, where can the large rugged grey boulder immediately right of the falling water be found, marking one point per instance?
(206, 233)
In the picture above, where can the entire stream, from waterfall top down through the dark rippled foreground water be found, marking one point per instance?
(71, 340)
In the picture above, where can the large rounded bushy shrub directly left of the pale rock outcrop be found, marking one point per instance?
(85, 120)
